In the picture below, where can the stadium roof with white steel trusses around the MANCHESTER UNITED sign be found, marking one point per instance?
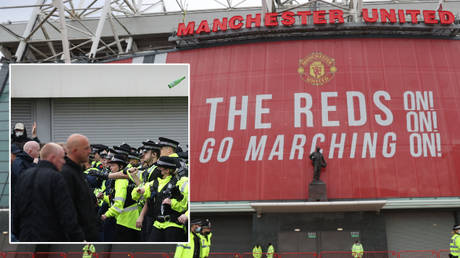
(97, 30)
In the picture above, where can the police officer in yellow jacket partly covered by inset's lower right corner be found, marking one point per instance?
(192, 249)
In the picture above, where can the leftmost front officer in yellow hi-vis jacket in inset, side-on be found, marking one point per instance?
(123, 207)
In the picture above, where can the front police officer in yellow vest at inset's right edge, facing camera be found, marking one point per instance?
(167, 202)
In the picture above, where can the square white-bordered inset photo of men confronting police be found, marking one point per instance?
(99, 153)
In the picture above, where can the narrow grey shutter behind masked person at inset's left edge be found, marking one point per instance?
(22, 110)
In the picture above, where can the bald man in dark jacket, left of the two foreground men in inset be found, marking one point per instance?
(42, 208)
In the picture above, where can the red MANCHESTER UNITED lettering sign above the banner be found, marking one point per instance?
(320, 17)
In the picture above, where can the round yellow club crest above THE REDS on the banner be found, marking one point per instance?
(317, 68)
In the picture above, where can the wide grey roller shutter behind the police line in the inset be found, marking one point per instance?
(112, 121)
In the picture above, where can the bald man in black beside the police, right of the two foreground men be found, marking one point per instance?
(78, 150)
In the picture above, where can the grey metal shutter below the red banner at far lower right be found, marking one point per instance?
(419, 230)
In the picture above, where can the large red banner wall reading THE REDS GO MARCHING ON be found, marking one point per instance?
(364, 66)
